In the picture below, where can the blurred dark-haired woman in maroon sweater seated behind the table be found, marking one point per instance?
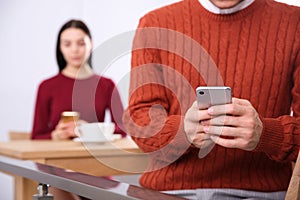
(75, 88)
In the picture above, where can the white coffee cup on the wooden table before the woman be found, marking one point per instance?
(95, 132)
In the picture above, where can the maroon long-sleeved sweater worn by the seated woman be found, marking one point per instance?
(90, 97)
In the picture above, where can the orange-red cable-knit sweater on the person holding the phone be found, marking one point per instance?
(255, 52)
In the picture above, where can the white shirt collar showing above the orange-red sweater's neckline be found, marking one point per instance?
(208, 5)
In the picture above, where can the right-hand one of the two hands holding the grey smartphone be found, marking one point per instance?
(238, 124)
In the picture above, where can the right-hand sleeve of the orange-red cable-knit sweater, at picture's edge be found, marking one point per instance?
(280, 138)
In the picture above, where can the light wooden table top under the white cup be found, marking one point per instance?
(35, 149)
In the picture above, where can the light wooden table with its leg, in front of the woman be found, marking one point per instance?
(99, 159)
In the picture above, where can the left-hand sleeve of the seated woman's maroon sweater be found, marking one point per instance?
(41, 128)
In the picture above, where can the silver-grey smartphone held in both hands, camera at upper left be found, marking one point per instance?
(213, 95)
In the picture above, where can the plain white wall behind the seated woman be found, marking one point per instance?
(28, 36)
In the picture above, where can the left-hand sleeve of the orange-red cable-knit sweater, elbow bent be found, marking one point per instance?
(148, 119)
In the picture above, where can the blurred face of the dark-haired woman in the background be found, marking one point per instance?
(75, 46)
